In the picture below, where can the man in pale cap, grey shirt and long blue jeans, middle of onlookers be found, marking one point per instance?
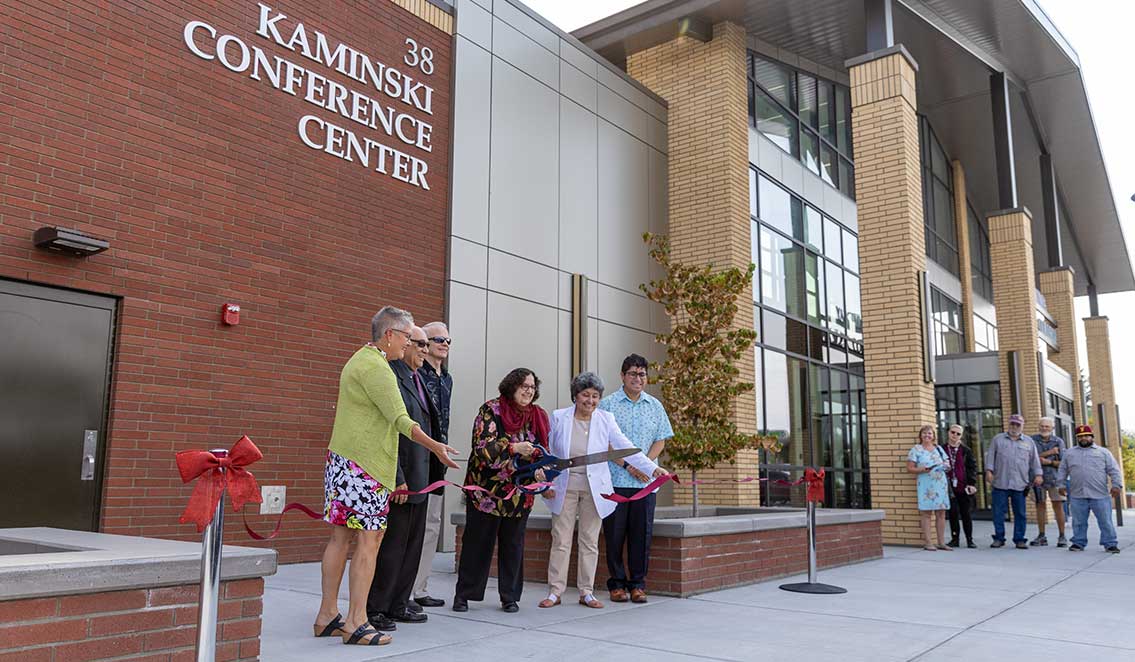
(1012, 465)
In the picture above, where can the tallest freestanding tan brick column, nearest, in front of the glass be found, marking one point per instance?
(893, 252)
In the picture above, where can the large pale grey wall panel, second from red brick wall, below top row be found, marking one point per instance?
(526, 165)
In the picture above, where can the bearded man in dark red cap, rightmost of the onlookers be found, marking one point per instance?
(1090, 467)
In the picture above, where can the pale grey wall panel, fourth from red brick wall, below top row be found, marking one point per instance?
(625, 192)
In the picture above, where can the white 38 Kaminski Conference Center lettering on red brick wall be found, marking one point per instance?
(381, 104)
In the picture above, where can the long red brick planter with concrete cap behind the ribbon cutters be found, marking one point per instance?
(695, 556)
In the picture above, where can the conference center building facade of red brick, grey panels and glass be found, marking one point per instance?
(204, 206)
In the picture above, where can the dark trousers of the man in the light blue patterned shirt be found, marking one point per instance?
(632, 525)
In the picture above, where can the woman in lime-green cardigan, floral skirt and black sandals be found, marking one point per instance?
(363, 463)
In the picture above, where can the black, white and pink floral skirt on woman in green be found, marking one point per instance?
(352, 498)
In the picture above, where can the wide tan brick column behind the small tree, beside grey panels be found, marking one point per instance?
(707, 87)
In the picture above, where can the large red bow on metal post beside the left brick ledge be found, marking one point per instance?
(207, 493)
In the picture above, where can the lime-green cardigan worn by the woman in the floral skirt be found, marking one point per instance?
(369, 416)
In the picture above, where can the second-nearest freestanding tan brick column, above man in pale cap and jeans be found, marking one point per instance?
(1015, 298)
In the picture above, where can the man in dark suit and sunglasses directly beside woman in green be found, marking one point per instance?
(402, 547)
